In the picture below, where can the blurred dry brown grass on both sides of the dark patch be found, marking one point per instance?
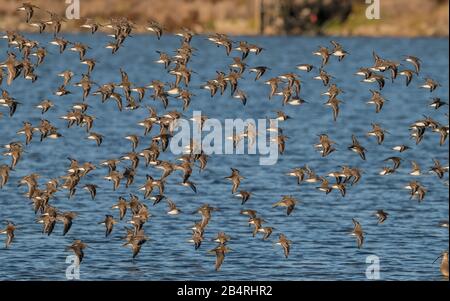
(399, 17)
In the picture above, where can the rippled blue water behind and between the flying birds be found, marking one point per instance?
(406, 244)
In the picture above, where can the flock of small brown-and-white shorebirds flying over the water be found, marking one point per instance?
(31, 55)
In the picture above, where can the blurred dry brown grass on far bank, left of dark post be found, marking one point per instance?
(200, 15)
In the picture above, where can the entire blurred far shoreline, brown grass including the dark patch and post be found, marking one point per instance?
(399, 18)
